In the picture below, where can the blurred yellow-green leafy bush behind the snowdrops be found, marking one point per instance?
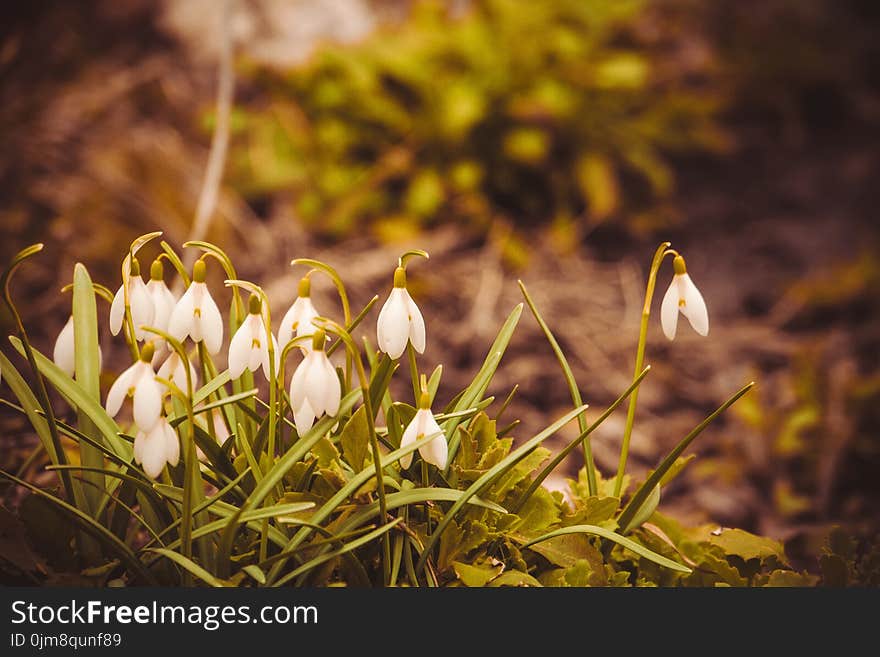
(562, 111)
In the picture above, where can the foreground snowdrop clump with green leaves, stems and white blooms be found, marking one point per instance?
(243, 496)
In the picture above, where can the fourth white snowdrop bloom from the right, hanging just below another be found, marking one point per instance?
(314, 388)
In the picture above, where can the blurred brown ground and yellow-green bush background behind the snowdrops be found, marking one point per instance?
(556, 141)
